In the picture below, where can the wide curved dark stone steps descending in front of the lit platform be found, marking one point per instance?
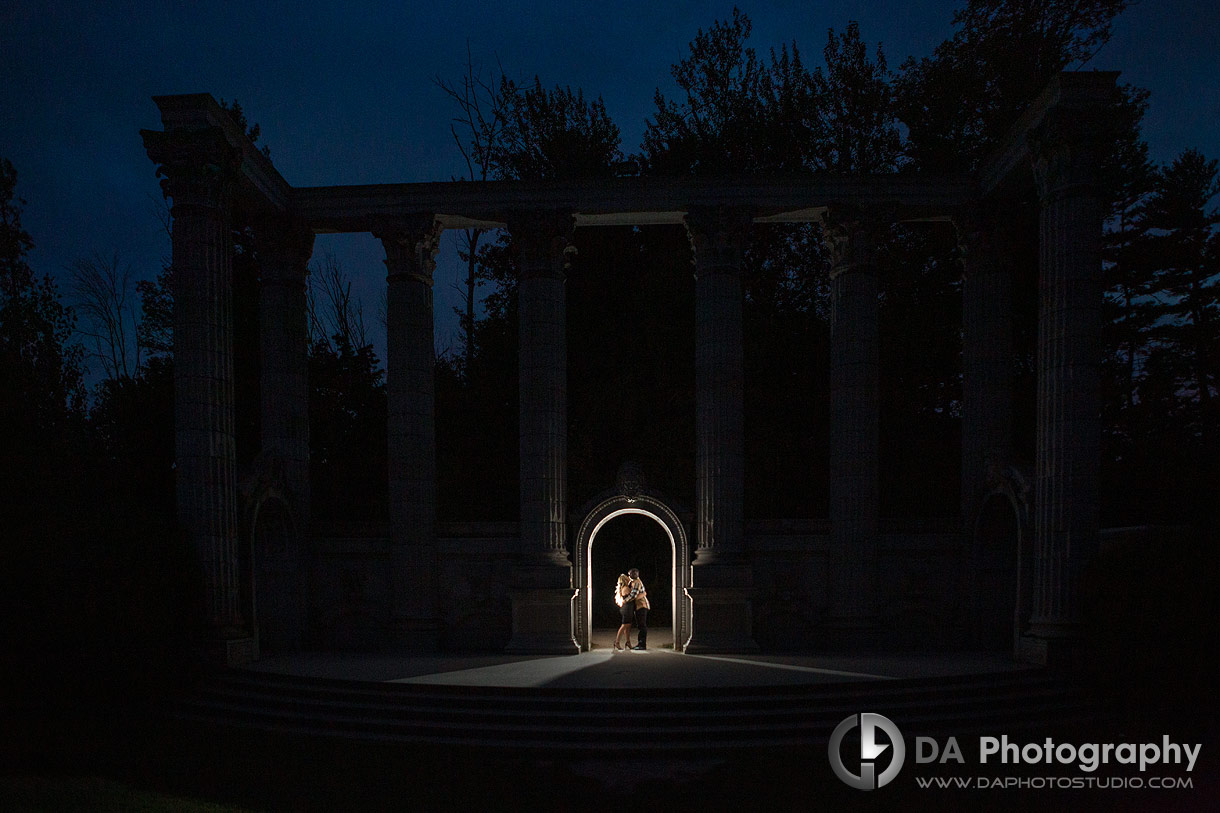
(541, 720)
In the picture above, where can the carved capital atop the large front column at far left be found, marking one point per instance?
(198, 168)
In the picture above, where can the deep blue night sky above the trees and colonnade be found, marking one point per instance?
(345, 93)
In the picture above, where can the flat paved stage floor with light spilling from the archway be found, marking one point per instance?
(657, 668)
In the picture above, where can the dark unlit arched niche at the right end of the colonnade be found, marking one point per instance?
(999, 580)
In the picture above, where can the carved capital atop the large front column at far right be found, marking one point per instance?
(1066, 150)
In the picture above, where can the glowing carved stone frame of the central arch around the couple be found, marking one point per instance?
(680, 565)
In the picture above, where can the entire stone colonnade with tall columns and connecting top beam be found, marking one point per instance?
(217, 178)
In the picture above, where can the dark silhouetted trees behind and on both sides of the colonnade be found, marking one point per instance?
(87, 482)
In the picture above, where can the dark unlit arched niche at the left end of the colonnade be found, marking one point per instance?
(279, 579)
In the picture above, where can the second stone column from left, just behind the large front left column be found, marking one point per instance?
(285, 250)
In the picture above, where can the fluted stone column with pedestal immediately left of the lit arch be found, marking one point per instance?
(544, 594)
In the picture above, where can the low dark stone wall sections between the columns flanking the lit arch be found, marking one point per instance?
(919, 580)
